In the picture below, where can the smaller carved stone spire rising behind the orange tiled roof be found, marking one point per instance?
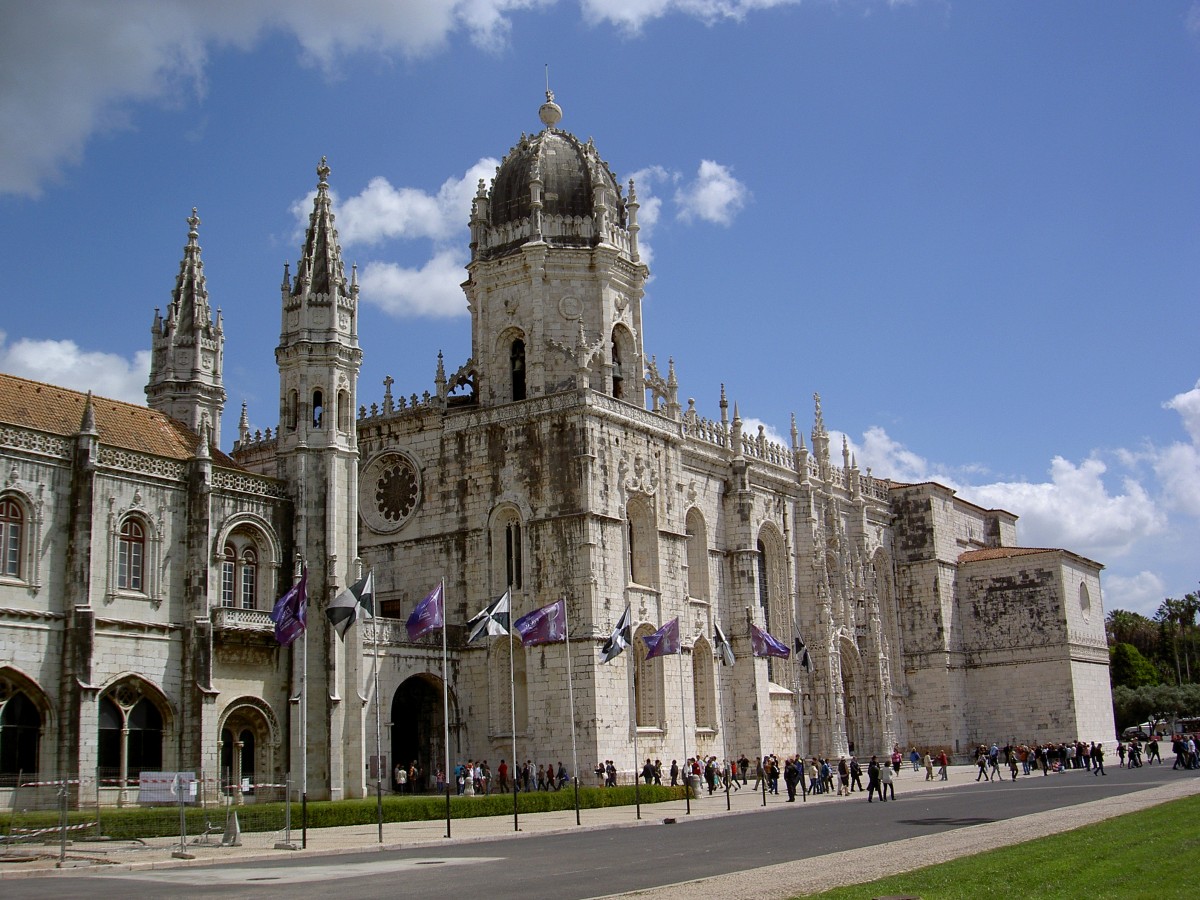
(188, 349)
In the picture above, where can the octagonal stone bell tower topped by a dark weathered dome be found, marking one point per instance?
(556, 283)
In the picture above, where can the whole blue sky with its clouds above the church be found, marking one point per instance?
(973, 227)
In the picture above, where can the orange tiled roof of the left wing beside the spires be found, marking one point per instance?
(59, 411)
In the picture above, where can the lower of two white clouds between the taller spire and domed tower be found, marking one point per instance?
(433, 291)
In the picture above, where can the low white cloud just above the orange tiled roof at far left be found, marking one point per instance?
(64, 363)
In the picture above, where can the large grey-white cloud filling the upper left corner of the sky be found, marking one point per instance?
(73, 69)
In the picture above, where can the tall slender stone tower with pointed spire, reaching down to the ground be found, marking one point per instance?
(319, 358)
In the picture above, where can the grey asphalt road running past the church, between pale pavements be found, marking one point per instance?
(596, 863)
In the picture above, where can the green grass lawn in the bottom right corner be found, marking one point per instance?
(1153, 854)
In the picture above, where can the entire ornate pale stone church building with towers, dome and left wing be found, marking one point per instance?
(559, 463)
